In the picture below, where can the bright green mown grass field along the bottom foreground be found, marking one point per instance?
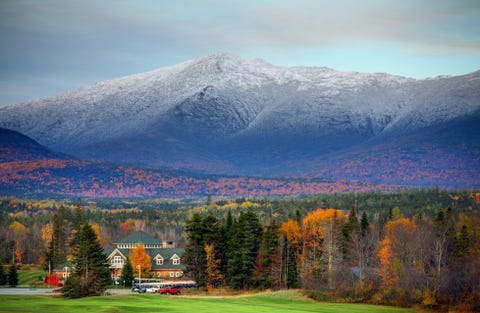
(272, 302)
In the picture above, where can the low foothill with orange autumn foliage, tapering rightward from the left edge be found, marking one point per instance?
(29, 169)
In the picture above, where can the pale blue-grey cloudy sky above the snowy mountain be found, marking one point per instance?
(52, 46)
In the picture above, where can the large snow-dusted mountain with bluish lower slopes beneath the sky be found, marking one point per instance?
(227, 115)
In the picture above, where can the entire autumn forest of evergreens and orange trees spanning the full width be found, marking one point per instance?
(402, 248)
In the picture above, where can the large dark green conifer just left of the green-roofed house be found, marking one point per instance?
(90, 273)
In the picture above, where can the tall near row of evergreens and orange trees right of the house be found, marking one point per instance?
(336, 254)
